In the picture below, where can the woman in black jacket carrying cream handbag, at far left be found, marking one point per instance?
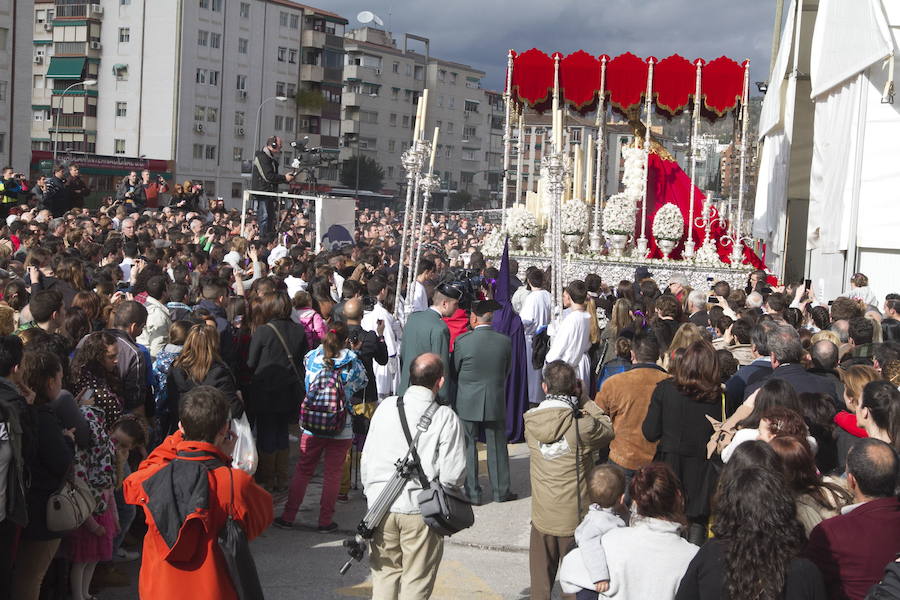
(47, 463)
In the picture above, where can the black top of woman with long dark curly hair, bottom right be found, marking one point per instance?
(705, 577)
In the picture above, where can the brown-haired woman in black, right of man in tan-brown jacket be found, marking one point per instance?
(677, 419)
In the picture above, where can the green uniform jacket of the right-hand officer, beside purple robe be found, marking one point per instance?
(482, 360)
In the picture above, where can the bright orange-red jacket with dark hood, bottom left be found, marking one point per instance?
(190, 560)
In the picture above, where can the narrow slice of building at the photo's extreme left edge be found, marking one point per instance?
(15, 80)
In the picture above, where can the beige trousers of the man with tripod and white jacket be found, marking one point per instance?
(405, 558)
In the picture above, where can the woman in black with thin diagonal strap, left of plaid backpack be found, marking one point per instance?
(278, 384)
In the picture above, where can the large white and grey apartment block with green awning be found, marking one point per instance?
(186, 82)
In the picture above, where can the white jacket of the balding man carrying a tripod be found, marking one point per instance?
(441, 448)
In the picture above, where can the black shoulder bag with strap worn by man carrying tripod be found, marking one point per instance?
(445, 511)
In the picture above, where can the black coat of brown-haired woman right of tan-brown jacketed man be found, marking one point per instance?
(678, 422)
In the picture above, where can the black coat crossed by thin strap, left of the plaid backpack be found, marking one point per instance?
(275, 386)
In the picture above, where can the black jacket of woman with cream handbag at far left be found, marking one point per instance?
(46, 468)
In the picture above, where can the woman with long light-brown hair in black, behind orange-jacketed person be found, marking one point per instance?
(199, 363)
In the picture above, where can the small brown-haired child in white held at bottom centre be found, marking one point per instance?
(584, 571)
